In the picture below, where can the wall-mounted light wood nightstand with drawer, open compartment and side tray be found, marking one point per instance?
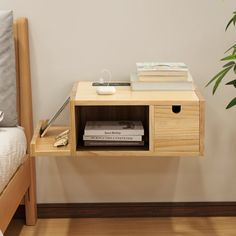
(173, 122)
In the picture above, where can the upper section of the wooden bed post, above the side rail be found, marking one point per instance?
(23, 80)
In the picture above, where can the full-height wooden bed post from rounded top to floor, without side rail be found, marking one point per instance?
(24, 108)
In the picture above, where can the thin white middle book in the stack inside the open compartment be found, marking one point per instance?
(112, 138)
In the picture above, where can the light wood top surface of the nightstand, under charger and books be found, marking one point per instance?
(85, 94)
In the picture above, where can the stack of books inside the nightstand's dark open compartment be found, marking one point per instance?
(113, 133)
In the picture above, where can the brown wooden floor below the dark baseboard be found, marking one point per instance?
(181, 226)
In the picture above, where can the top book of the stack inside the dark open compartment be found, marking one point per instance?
(114, 128)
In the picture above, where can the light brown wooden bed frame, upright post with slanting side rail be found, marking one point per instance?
(21, 187)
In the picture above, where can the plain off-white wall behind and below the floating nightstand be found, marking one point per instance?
(74, 40)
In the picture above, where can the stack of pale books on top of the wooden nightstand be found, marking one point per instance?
(161, 76)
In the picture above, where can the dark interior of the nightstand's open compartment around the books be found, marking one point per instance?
(111, 113)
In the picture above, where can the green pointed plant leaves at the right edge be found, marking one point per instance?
(230, 65)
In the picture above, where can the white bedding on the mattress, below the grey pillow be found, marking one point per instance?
(12, 153)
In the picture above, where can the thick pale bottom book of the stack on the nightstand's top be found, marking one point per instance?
(137, 85)
